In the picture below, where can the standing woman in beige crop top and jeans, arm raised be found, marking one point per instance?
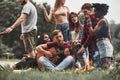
(60, 14)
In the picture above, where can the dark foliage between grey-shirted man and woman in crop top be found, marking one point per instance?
(43, 25)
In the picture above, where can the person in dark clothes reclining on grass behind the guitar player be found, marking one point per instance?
(28, 62)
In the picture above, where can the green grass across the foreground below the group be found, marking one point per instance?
(35, 74)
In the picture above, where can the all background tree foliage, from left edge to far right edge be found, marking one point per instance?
(10, 10)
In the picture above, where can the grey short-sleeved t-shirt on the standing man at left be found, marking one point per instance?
(30, 23)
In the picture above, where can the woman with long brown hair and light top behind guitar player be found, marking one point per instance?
(75, 27)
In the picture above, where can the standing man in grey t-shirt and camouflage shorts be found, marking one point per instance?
(28, 20)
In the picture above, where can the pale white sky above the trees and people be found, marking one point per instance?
(75, 5)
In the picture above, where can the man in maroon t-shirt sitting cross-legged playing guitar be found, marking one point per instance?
(64, 60)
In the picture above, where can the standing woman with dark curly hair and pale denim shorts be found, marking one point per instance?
(102, 34)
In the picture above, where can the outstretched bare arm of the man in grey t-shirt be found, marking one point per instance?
(17, 23)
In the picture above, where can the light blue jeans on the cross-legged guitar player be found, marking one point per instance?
(66, 63)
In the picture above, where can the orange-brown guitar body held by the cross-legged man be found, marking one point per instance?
(52, 59)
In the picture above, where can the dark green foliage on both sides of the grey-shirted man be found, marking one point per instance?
(10, 10)
